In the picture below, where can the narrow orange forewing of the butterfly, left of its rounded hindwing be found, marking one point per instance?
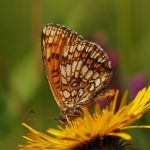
(54, 39)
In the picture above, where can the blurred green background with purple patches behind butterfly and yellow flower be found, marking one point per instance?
(122, 27)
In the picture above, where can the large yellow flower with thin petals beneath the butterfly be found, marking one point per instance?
(104, 128)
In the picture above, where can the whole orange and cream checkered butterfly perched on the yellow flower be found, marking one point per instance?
(77, 70)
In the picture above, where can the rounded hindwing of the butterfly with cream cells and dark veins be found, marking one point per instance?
(85, 70)
